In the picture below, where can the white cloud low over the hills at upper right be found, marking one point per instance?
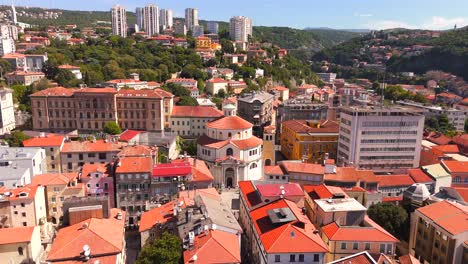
(434, 23)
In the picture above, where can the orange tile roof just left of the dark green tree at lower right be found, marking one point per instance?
(371, 233)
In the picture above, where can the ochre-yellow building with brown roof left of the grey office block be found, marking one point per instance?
(309, 140)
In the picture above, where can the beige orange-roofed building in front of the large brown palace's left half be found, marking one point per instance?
(75, 154)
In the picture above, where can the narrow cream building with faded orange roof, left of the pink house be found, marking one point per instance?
(58, 187)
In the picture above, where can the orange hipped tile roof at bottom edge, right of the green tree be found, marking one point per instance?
(226, 246)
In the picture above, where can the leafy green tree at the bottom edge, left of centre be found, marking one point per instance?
(164, 250)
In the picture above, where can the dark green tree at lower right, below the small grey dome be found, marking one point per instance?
(391, 217)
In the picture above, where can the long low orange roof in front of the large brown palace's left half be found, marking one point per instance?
(90, 146)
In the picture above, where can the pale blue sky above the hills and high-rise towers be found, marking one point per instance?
(372, 14)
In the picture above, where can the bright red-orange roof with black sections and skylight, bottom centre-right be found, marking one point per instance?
(294, 236)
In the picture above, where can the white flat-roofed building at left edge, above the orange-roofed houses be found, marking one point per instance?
(33, 159)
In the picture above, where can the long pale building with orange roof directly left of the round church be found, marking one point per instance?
(190, 121)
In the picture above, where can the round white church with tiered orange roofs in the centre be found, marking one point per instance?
(231, 151)
